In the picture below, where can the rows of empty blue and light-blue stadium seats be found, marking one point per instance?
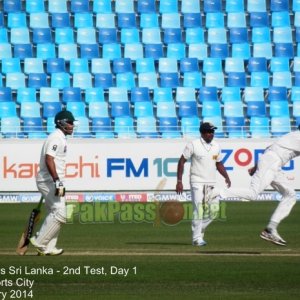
(164, 64)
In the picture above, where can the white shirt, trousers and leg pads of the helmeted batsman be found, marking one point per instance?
(55, 146)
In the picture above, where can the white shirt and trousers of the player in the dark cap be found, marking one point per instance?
(203, 158)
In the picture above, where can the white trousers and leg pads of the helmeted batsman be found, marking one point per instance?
(55, 216)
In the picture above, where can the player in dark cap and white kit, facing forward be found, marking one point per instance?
(205, 155)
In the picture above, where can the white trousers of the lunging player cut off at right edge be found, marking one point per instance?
(268, 173)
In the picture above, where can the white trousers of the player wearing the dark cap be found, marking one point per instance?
(203, 213)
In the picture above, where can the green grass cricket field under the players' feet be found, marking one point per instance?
(161, 263)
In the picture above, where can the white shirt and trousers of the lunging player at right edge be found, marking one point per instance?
(269, 172)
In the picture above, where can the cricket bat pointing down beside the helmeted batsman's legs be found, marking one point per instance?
(26, 235)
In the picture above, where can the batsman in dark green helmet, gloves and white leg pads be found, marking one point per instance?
(50, 182)
